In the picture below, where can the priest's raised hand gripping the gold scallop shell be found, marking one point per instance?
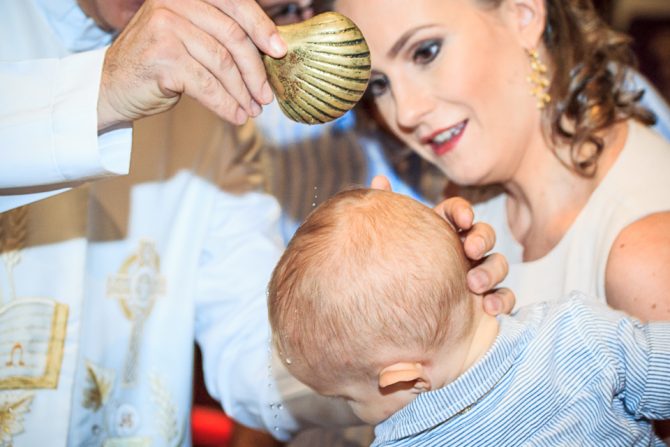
(206, 49)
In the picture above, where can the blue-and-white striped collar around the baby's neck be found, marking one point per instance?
(462, 394)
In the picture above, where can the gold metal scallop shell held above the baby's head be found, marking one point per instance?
(325, 71)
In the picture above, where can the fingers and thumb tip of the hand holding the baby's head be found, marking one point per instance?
(478, 239)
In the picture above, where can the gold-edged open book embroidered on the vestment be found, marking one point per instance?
(32, 335)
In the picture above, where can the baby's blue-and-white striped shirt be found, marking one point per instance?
(569, 373)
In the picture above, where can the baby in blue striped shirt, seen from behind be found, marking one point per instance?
(369, 303)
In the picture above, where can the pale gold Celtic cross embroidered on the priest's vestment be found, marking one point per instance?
(137, 287)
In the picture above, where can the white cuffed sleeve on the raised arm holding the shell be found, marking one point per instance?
(48, 128)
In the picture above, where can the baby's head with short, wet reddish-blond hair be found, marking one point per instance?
(370, 303)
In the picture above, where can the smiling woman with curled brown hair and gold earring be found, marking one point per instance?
(530, 95)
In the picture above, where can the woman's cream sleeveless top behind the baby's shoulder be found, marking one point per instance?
(637, 185)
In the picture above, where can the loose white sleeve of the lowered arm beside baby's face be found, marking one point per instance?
(232, 327)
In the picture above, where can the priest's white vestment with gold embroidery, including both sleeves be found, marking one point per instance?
(104, 286)
